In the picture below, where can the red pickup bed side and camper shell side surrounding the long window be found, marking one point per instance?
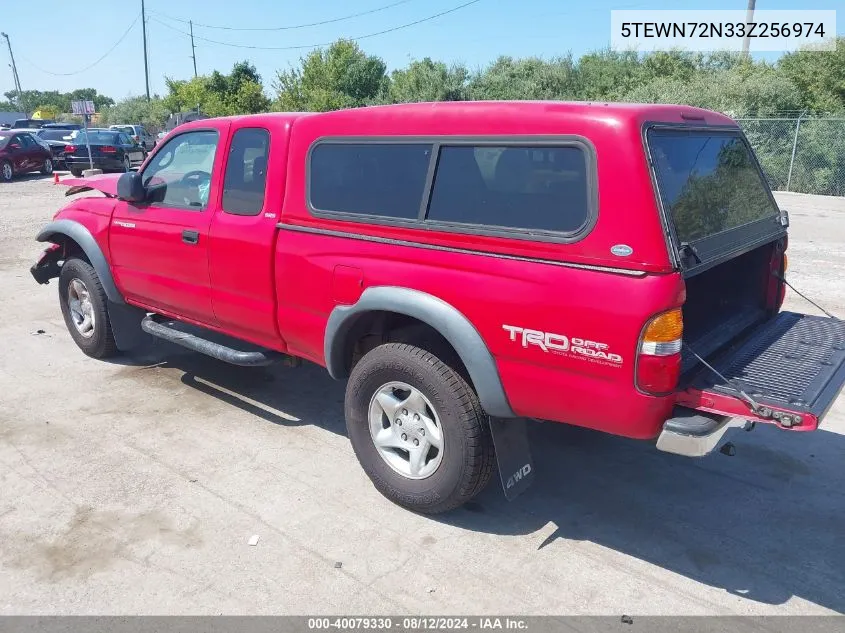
(499, 281)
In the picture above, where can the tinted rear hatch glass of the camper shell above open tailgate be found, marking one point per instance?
(709, 181)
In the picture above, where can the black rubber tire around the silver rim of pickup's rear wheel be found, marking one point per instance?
(468, 457)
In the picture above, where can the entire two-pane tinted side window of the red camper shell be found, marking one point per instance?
(454, 185)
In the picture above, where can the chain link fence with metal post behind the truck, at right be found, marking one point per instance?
(804, 154)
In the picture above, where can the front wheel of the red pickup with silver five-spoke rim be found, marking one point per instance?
(84, 307)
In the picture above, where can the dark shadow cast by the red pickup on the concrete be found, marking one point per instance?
(768, 524)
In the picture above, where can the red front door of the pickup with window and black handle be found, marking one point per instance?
(159, 248)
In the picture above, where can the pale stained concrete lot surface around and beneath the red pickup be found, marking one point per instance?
(133, 487)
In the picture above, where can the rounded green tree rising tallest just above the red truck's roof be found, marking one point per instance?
(340, 76)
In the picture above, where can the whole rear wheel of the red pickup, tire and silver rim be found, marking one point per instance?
(418, 429)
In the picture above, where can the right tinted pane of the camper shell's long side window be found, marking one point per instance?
(523, 187)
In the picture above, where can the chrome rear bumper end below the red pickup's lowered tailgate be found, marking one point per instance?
(692, 434)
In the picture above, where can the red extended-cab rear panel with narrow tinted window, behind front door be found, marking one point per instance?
(243, 231)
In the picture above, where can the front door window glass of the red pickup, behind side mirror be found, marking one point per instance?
(179, 175)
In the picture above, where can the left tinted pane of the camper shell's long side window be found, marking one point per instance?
(384, 179)
